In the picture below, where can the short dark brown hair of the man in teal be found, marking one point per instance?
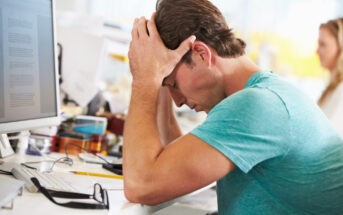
(176, 20)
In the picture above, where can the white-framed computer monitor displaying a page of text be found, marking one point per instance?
(29, 95)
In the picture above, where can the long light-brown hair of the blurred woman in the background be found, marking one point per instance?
(335, 27)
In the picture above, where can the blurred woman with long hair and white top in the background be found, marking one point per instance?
(330, 46)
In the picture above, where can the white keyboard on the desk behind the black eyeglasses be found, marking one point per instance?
(47, 180)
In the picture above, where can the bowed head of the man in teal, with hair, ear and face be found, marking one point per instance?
(195, 81)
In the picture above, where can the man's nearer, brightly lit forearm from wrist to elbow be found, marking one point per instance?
(142, 143)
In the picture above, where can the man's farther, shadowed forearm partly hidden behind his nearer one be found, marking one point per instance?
(168, 127)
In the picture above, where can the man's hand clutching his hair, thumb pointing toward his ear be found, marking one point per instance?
(150, 60)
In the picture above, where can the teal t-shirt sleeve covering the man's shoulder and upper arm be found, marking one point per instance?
(248, 127)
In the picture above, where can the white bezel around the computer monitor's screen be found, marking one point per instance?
(30, 124)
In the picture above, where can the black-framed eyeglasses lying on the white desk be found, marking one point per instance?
(100, 195)
